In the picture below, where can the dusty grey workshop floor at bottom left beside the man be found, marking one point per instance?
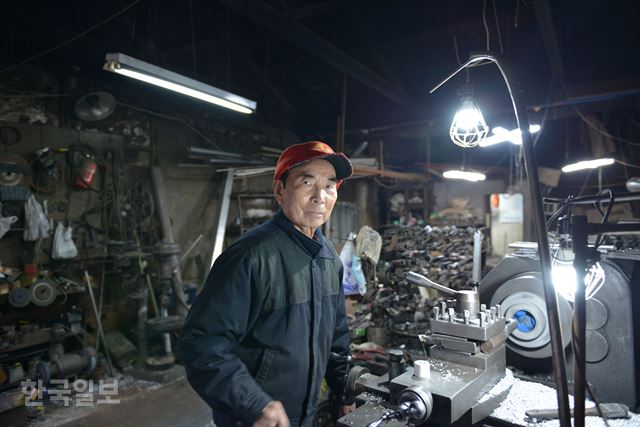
(172, 405)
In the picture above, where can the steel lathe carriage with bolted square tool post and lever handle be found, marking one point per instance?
(454, 383)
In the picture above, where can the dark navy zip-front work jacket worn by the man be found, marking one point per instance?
(270, 312)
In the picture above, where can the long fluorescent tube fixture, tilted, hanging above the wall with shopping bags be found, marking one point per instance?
(122, 64)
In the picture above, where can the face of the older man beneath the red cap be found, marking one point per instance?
(309, 195)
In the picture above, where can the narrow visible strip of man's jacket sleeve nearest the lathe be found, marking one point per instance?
(335, 374)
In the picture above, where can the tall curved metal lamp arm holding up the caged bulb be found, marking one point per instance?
(531, 166)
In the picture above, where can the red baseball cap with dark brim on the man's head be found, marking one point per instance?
(298, 154)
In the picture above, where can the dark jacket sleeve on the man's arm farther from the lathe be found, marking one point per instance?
(220, 317)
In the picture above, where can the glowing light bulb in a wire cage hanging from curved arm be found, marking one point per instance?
(468, 128)
